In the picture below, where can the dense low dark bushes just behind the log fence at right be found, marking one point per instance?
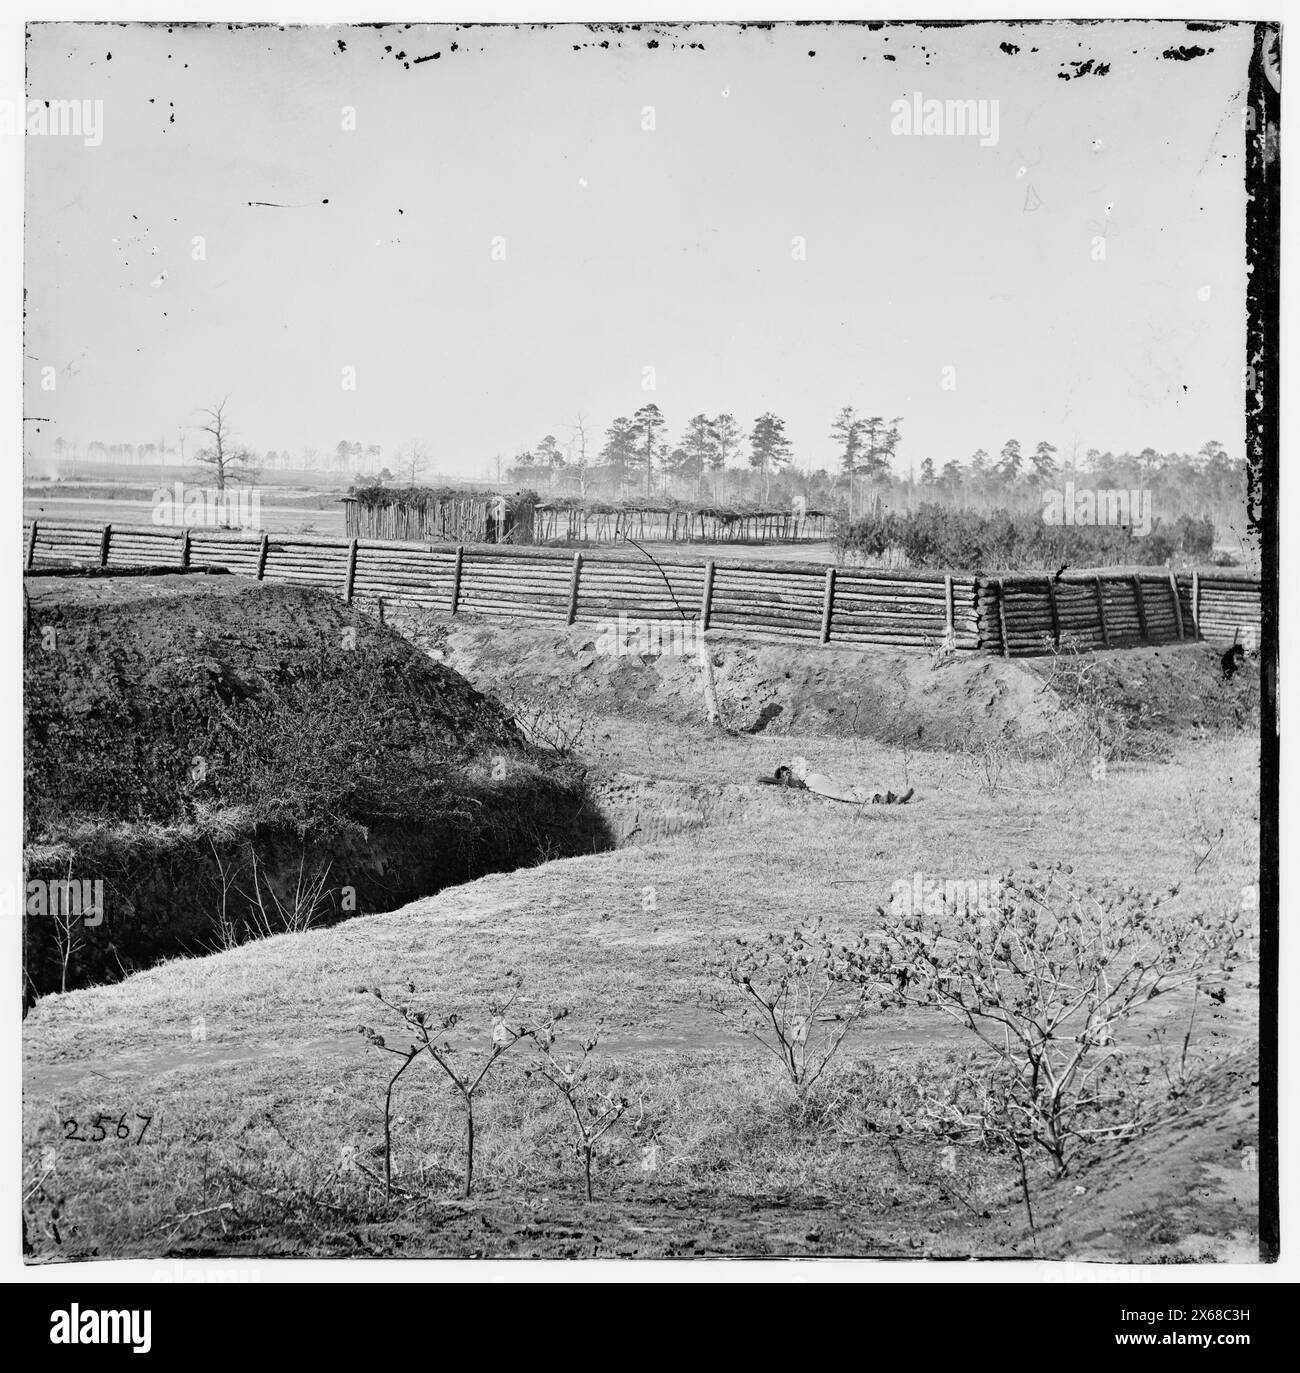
(936, 536)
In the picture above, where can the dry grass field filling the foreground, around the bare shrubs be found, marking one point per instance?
(267, 1107)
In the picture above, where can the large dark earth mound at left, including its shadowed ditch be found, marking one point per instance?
(229, 759)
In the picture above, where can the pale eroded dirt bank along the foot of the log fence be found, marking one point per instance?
(896, 698)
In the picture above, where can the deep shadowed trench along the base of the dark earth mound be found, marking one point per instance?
(181, 895)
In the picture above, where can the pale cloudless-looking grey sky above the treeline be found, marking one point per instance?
(631, 248)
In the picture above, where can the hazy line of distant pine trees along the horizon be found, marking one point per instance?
(721, 463)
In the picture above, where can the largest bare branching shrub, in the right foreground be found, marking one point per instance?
(1044, 984)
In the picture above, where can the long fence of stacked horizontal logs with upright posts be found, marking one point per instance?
(1015, 616)
